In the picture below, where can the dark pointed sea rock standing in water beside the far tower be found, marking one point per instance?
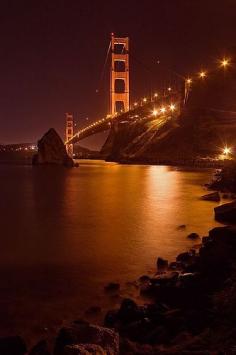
(52, 151)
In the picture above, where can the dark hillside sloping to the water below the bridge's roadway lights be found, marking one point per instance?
(199, 133)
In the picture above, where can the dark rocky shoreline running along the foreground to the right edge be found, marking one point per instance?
(190, 308)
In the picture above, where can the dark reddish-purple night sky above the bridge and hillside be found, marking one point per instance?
(52, 53)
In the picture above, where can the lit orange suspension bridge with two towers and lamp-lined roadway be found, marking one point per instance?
(156, 107)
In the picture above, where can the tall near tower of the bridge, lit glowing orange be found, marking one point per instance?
(119, 76)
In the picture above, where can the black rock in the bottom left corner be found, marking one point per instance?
(12, 345)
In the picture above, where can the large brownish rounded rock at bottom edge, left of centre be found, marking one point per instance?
(81, 332)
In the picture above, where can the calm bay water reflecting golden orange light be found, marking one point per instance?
(65, 233)
